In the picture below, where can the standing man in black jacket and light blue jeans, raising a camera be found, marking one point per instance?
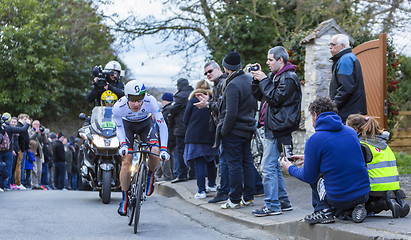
(281, 92)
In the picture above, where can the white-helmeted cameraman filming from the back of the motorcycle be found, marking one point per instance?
(108, 86)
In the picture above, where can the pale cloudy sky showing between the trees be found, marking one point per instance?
(146, 62)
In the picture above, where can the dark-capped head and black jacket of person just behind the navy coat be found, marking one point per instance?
(179, 106)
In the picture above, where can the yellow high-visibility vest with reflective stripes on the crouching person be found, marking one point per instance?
(382, 169)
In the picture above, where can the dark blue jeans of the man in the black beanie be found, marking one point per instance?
(237, 152)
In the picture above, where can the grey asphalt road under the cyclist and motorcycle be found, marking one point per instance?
(37, 214)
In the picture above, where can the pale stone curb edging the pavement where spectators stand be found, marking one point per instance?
(300, 229)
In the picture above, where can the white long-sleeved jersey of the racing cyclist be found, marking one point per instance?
(122, 113)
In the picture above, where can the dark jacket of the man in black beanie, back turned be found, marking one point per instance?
(238, 107)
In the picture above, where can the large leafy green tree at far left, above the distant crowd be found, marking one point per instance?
(47, 51)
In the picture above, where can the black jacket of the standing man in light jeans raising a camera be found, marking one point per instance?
(283, 96)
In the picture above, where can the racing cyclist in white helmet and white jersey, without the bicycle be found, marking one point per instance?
(133, 115)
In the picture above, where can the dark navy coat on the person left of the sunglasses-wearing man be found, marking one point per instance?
(197, 121)
